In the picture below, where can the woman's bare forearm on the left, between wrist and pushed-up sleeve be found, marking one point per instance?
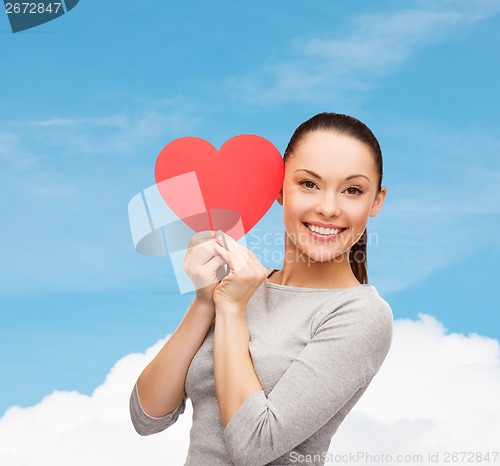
(161, 384)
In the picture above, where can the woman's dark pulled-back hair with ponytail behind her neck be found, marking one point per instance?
(349, 126)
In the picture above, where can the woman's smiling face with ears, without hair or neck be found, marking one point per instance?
(330, 182)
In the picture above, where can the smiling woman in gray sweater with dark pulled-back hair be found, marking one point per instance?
(273, 362)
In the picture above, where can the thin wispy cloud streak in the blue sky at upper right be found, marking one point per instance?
(327, 68)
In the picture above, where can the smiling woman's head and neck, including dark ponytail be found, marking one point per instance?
(333, 172)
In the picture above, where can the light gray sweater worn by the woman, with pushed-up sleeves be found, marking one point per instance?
(314, 350)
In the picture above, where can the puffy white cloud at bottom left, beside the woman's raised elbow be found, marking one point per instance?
(68, 427)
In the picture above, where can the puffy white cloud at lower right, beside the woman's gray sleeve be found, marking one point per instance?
(435, 392)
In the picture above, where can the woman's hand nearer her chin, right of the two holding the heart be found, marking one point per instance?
(246, 273)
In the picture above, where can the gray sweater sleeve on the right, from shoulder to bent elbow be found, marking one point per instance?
(334, 367)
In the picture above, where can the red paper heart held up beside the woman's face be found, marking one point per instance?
(210, 189)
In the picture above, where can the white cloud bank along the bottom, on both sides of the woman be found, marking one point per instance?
(436, 392)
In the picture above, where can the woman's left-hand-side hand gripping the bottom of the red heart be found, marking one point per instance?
(201, 264)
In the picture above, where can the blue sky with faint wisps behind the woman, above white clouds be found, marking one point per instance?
(89, 100)
